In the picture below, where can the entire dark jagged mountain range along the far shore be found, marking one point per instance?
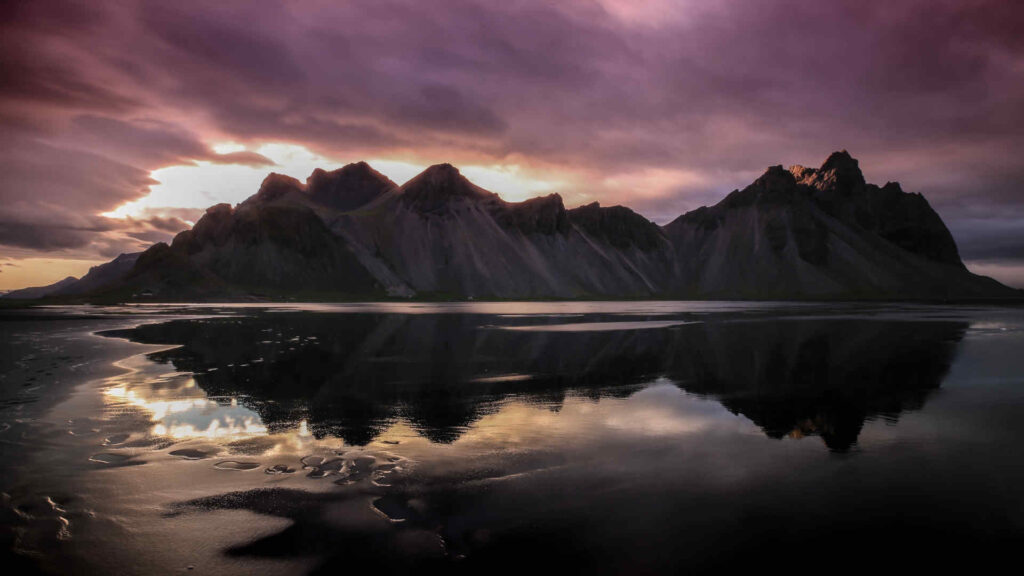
(354, 234)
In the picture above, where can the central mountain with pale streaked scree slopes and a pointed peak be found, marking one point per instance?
(443, 235)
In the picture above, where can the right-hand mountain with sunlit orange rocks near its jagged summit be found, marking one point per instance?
(824, 233)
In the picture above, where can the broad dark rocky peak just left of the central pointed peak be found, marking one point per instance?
(348, 188)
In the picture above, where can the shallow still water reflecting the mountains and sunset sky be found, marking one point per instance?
(584, 437)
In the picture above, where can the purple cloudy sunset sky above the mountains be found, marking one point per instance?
(121, 121)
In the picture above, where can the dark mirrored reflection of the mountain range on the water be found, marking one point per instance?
(352, 376)
